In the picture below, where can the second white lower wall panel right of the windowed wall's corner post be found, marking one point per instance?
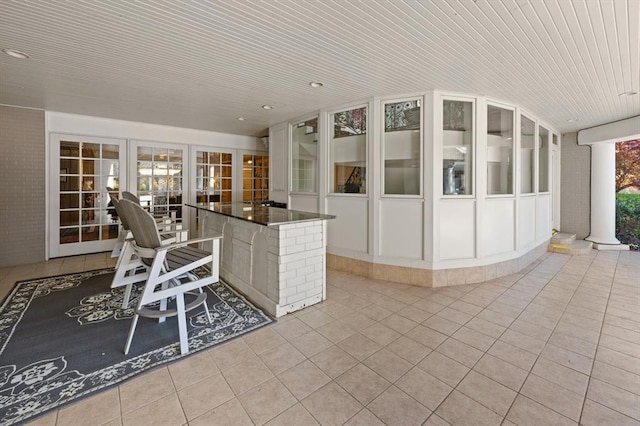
(498, 226)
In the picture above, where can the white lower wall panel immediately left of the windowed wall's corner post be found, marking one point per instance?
(401, 228)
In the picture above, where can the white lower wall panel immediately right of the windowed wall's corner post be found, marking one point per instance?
(457, 229)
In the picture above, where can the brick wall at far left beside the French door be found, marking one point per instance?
(22, 192)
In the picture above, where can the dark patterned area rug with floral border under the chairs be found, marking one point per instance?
(62, 338)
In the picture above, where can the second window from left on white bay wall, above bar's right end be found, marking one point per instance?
(348, 156)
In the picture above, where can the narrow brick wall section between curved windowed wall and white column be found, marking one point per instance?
(575, 193)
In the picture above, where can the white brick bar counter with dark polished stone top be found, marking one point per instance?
(275, 256)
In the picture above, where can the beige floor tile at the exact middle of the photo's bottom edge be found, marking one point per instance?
(331, 405)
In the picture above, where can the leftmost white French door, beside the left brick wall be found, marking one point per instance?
(83, 171)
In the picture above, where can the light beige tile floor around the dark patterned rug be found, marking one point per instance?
(556, 344)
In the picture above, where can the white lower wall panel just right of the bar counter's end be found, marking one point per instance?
(349, 229)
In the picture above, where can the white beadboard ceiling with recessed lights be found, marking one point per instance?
(202, 64)
